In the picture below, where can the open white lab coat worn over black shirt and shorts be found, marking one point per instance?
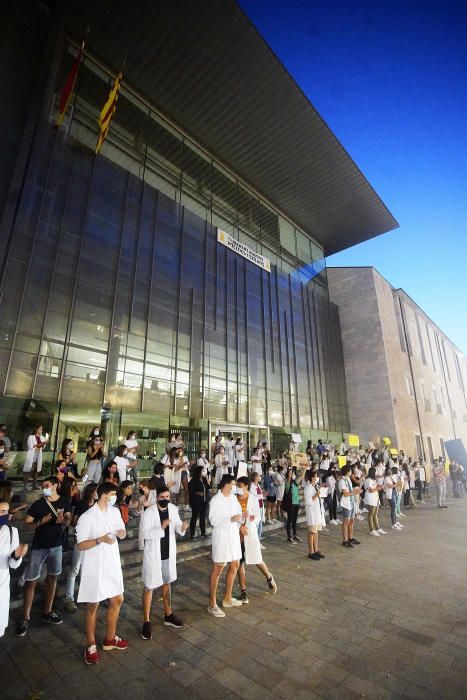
(152, 533)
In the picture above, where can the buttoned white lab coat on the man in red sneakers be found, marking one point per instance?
(101, 570)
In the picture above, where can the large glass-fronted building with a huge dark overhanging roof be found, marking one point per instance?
(122, 303)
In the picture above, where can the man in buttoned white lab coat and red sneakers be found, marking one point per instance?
(101, 570)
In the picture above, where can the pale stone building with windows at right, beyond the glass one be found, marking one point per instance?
(405, 379)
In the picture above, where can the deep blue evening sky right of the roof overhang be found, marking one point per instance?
(390, 80)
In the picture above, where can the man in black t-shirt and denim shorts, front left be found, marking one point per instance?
(49, 514)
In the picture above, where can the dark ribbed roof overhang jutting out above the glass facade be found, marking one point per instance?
(206, 67)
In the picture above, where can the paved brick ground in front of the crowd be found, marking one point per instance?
(384, 620)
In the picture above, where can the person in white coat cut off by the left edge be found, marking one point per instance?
(11, 556)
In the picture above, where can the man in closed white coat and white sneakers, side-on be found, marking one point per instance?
(225, 516)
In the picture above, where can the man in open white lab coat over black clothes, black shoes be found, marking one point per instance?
(159, 523)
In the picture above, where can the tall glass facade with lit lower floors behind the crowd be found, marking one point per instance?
(120, 307)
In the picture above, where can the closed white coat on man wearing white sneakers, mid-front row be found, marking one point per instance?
(225, 533)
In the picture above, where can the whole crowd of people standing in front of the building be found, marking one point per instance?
(236, 497)
